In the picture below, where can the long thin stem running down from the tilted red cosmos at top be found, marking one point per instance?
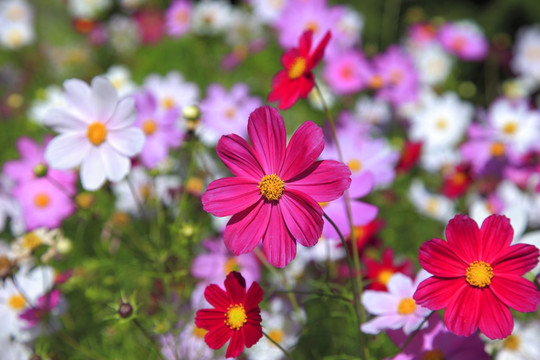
(361, 314)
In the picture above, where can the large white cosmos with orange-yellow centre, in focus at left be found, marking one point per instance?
(96, 132)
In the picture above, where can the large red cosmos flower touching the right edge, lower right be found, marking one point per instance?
(477, 276)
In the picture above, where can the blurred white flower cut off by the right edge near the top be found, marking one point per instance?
(526, 61)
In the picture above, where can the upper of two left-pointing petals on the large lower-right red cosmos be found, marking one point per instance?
(437, 258)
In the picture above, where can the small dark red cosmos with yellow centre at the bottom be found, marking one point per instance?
(236, 316)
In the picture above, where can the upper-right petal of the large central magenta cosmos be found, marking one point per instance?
(305, 146)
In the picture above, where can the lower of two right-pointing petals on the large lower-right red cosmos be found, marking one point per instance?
(516, 292)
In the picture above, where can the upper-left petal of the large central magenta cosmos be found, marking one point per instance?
(239, 157)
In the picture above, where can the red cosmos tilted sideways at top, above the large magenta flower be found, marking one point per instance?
(297, 80)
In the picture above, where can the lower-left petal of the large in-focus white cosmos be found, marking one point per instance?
(67, 151)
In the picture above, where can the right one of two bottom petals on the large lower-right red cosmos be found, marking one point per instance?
(496, 321)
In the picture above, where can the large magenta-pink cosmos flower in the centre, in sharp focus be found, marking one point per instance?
(277, 189)
